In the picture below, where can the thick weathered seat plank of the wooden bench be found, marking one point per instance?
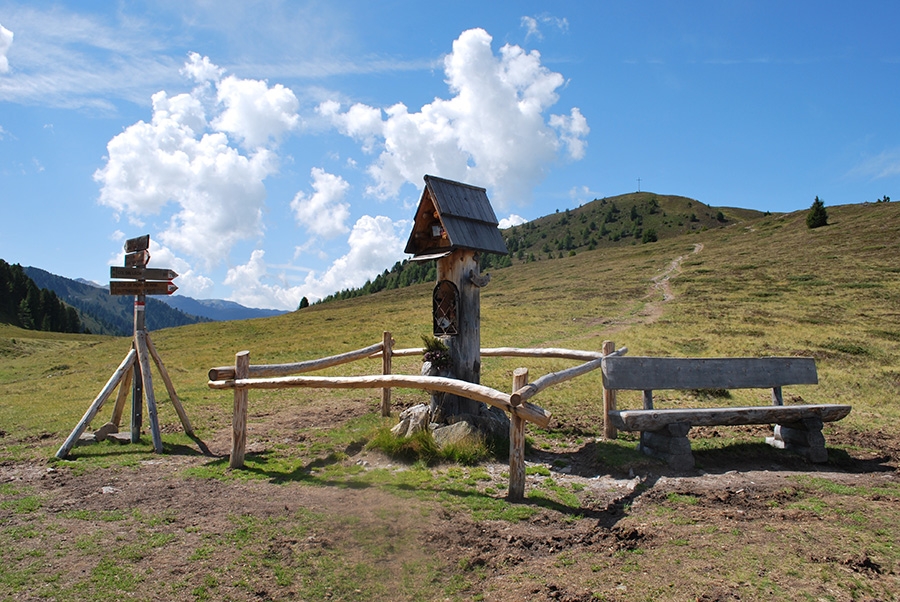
(651, 420)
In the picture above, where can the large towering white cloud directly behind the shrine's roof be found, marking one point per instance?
(492, 132)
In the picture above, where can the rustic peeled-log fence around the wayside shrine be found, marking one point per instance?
(243, 376)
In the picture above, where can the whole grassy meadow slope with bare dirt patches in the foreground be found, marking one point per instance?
(309, 518)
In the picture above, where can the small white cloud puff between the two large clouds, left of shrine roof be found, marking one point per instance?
(323, 212)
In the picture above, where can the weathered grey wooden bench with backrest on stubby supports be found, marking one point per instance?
(664, 431)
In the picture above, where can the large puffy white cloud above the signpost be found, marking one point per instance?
(182, 161)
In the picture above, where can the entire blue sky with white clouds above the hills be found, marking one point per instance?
(275, 150)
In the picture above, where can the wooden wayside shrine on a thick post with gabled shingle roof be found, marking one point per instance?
(454, 224)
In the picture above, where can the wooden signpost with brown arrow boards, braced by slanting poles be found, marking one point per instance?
(138, 280)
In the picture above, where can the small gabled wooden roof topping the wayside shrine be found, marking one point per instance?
(453, 215)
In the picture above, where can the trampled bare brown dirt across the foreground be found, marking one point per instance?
(649, 535)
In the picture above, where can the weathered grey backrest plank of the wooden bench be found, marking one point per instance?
(655, 373)
